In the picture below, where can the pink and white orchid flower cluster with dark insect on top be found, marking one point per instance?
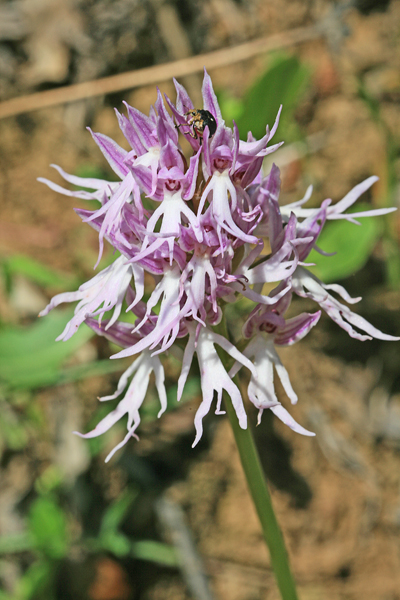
(215, 233)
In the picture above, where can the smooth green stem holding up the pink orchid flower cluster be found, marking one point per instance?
(262, 500)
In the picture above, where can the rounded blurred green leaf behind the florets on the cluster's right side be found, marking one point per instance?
(353, 245)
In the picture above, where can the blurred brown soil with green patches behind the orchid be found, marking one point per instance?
(72, 527)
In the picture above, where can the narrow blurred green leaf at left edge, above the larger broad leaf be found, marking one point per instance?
(37, 272)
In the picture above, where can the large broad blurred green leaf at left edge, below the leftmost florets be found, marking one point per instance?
(30, 357)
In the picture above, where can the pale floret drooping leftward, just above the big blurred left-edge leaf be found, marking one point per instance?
(104, 292)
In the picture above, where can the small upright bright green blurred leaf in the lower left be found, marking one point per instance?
(48, 527)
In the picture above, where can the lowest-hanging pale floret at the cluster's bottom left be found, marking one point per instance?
(141, 370)
